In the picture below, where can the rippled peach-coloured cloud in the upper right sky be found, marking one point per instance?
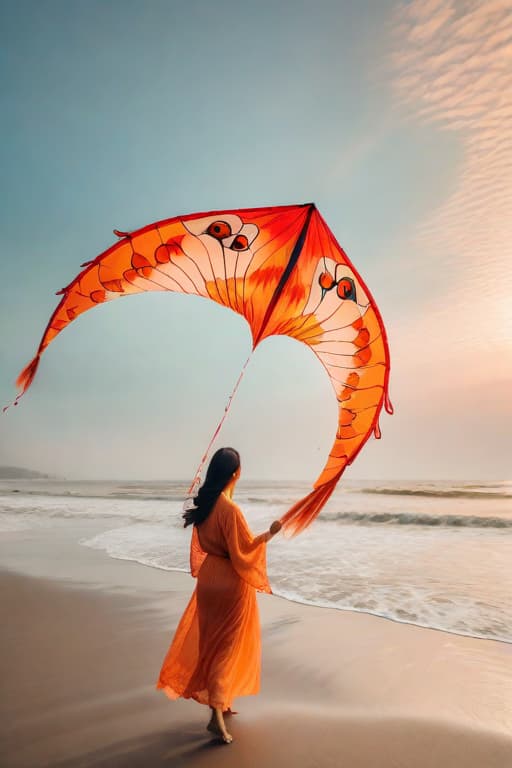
(451, 67)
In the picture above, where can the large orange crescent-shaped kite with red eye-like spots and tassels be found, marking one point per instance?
(281, 269)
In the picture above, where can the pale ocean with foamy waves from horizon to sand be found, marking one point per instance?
(434, 554)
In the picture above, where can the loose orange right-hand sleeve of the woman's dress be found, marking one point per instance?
(246, 552)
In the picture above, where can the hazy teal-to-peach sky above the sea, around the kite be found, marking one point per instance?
(393, 117)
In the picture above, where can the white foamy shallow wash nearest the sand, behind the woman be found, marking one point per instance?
(425, 577)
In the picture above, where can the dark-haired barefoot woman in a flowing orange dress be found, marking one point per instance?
(215, 653)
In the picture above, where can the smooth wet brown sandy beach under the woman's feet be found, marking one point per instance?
(84, 636)
